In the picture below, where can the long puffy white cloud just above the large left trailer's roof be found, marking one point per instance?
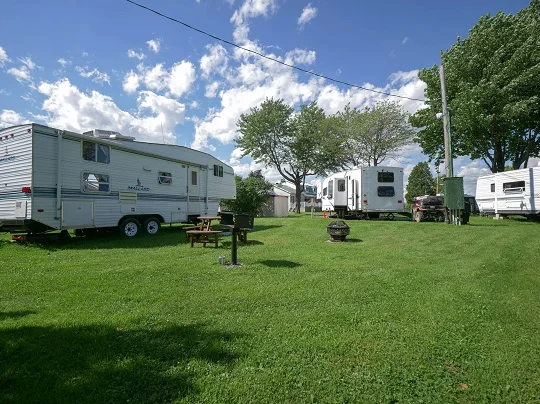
(69, 108)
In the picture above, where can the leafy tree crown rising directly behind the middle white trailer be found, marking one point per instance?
(372, 135)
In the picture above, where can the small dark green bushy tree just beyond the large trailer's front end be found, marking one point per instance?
(251, 194)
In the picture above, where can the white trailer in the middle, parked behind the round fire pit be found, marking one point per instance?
(363, 191)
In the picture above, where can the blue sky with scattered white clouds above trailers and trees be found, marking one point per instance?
(109, 64)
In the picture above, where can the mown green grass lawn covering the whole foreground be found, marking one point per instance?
(403, 312)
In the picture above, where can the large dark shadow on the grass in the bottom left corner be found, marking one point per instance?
(105, 364)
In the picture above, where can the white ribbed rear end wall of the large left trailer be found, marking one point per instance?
(17, 172)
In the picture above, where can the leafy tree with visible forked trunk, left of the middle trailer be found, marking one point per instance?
(296, 145)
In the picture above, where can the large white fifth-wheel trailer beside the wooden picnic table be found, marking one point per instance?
(53, 179)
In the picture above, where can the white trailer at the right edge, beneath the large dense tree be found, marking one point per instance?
(510, 193)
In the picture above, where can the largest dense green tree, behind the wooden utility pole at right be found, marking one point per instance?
(493, 91)
